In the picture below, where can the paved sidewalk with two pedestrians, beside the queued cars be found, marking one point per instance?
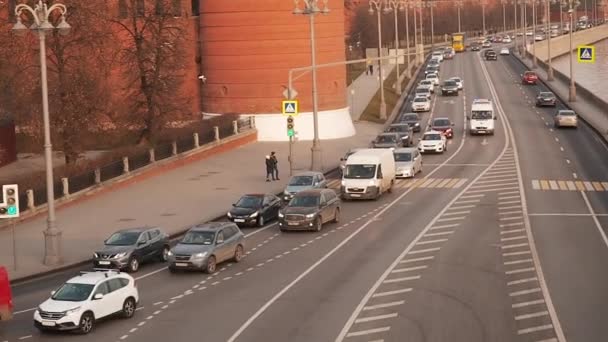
(175, 200)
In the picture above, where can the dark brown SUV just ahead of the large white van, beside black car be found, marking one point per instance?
(309, 210)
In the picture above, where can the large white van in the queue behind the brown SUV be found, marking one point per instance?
(368, 174)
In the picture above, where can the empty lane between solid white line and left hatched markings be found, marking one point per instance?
(316, 308)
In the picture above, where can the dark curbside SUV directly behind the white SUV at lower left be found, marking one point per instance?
(128, 248)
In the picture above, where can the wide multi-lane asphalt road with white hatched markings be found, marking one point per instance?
(468, 255)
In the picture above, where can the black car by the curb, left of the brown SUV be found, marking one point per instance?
(255, 209)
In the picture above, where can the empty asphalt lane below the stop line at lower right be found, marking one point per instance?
(574, 261)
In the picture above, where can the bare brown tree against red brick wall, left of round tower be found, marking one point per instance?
(153, 61)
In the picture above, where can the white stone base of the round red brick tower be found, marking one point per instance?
(333, 124)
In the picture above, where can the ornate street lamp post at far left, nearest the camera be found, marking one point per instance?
(42, 26)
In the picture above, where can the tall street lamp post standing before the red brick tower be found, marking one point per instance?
(311, 9)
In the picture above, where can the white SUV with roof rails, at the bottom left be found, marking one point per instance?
(82, 300)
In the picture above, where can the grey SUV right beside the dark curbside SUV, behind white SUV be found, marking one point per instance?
(207, 245)
